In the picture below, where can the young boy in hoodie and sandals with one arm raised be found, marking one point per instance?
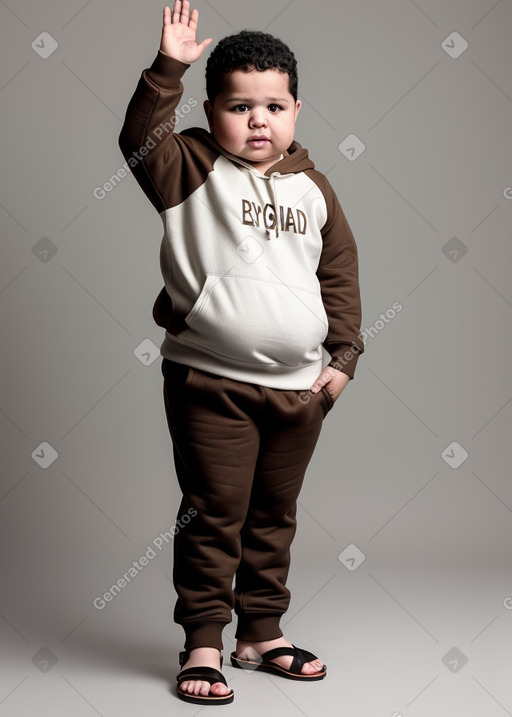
(262, 313)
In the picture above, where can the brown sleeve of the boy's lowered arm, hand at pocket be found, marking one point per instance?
(338, 273)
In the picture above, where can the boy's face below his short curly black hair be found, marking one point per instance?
(254, 105)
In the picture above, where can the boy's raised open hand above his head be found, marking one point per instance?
(179, 33)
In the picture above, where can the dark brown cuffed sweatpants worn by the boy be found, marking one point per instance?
(240, 452)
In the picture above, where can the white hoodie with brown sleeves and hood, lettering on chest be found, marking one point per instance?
(260, 270)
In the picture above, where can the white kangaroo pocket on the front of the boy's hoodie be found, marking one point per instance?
(255, 321)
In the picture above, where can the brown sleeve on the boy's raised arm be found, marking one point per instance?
(168, 166)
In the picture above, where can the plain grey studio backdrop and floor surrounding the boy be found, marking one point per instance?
(429, 201)
